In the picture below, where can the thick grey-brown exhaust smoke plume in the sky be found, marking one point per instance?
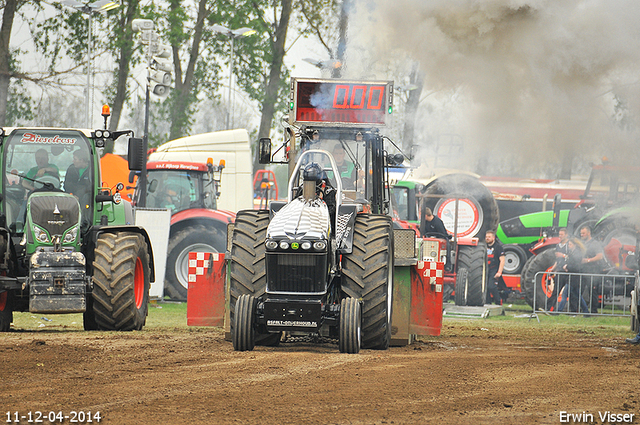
(528, 84)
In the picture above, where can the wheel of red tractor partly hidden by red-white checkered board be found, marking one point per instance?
(198, 238)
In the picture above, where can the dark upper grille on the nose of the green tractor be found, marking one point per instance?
(55, 214)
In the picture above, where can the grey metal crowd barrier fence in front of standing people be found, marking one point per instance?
(581, 293)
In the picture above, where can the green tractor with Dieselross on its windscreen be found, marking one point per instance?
(67, 244)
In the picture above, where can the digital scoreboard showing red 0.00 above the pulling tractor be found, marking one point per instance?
(320, 102)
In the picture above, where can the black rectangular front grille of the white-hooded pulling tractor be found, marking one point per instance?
(296, 272)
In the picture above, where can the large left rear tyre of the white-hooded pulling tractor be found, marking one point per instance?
(247, 268)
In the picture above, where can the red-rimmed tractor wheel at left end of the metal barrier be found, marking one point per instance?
(545, 297)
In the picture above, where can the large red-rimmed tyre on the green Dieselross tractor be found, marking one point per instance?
(121, 281)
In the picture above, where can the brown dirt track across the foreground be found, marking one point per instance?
(470, 374)
